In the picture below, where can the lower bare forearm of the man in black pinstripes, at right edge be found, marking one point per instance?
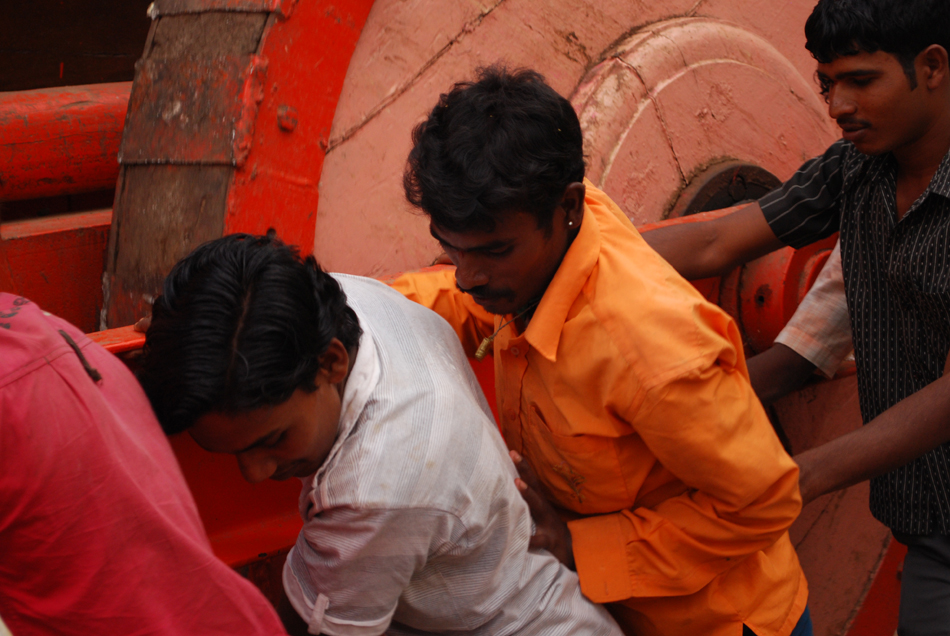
(904, 432)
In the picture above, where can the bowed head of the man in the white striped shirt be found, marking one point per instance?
(248, 350)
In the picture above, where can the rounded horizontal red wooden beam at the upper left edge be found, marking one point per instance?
(60, 140)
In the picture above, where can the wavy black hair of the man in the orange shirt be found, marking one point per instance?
(507, 141)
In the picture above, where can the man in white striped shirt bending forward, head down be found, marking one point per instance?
(412, 521)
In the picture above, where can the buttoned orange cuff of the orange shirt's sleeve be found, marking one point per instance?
(600, 554)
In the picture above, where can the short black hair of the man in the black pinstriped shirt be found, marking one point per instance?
(902, 28)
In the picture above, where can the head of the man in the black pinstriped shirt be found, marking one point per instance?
(882, 67)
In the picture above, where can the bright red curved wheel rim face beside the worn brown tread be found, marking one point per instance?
(278, 186)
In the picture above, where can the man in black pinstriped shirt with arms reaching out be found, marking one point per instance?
(883, 68)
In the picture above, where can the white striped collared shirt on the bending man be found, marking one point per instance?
(413, 523)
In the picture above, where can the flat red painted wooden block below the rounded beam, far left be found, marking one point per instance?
(57, 262)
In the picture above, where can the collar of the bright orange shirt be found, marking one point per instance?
(544, 329)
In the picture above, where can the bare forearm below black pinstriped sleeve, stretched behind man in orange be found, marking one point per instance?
(713, 248)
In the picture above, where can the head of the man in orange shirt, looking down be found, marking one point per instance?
(498, 167)
